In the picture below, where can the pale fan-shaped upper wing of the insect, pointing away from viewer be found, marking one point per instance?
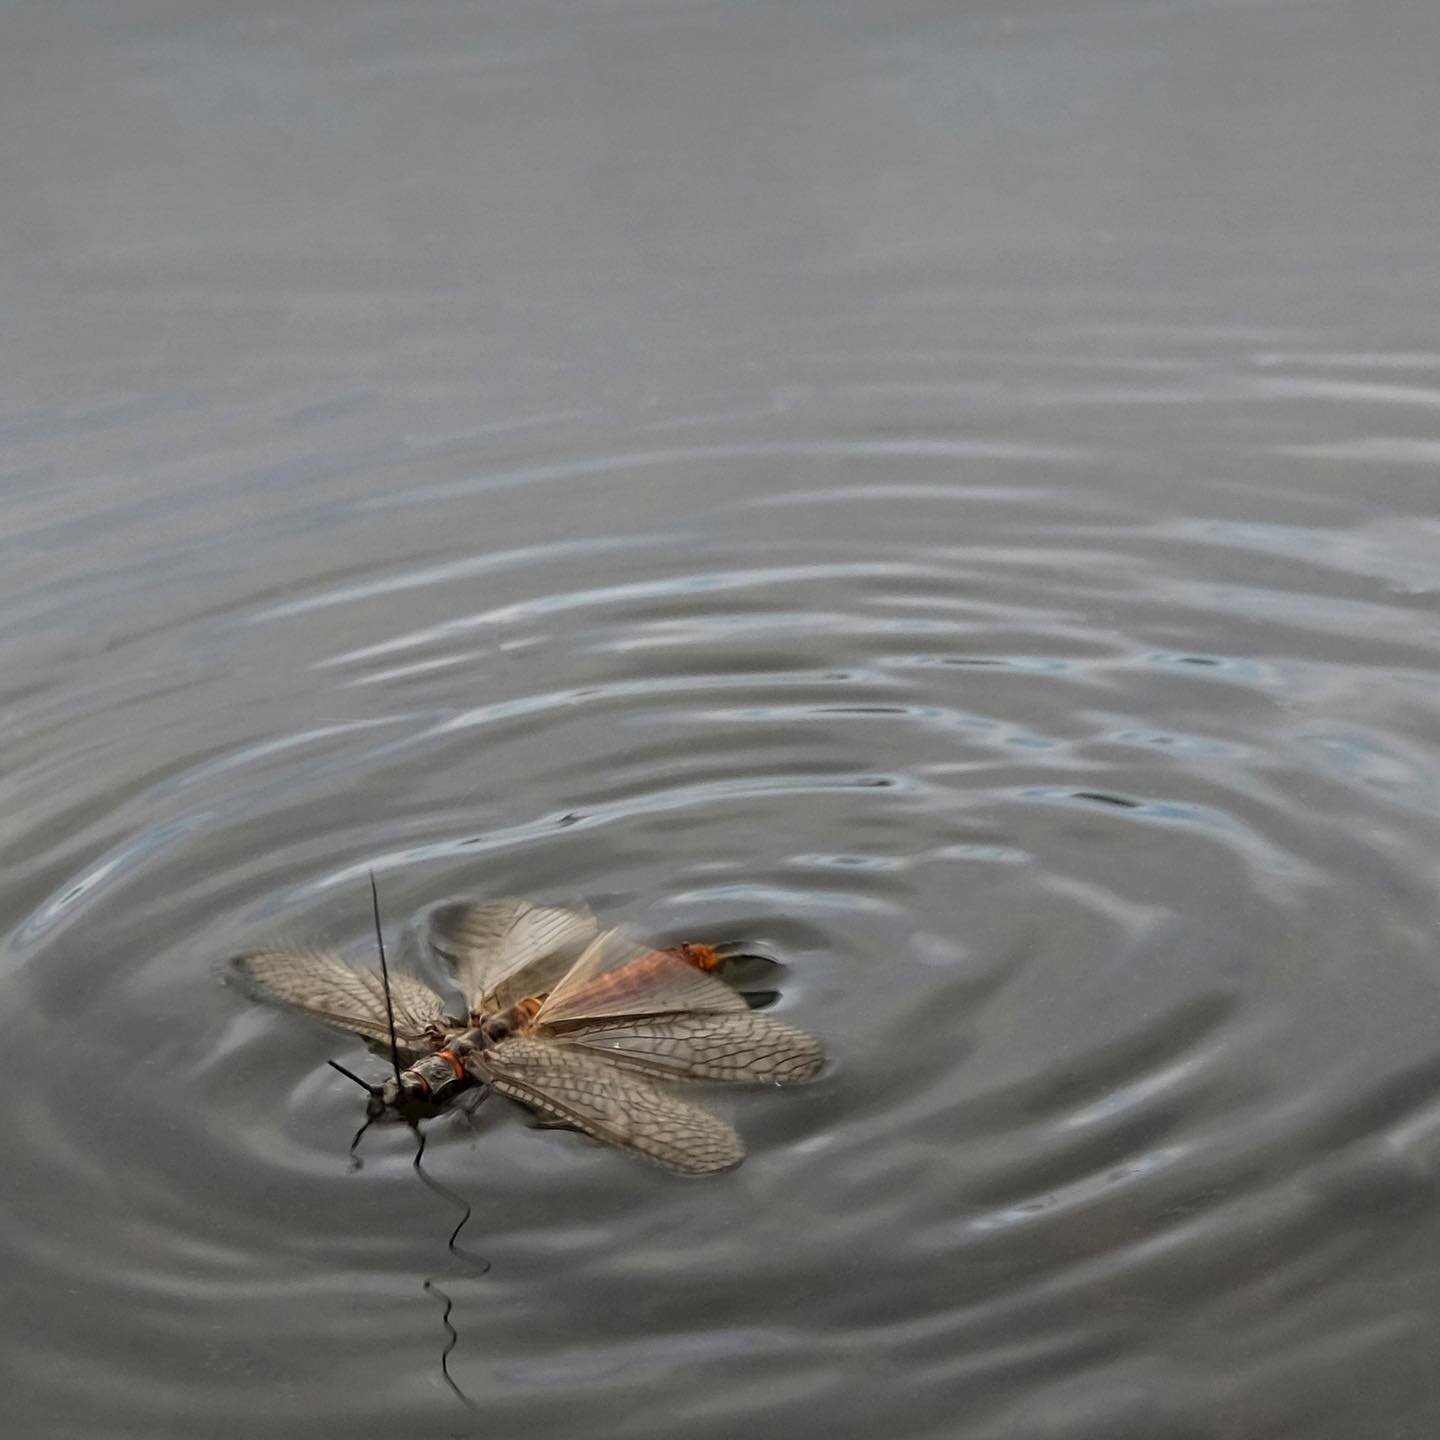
(503, 951)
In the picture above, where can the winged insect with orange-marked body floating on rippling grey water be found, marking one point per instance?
(575, 1023)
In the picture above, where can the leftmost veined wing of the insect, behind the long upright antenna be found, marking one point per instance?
(328, 990)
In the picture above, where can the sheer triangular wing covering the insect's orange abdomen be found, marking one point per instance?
(620, 977)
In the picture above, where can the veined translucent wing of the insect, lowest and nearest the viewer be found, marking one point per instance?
(610, 1105)
